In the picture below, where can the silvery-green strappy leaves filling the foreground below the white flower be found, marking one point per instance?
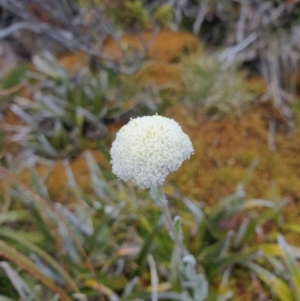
(105, 236)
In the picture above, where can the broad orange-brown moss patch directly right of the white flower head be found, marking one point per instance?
(224, 150)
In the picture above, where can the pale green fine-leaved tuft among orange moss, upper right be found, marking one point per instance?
(209, 85)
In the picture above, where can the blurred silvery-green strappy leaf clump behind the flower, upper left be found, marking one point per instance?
(67, 108)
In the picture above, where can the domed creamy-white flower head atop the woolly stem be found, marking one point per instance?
(148, 148)
